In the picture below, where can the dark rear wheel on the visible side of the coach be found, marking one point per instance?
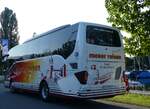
(44, 91)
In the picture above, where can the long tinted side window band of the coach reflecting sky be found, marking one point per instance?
(61, 42)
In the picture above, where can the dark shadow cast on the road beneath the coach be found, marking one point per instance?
(67, 103)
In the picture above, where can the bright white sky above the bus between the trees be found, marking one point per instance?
(42, 15)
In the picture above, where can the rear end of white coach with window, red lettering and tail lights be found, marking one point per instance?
(104, 64)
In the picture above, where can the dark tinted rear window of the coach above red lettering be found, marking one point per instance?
(102, 36)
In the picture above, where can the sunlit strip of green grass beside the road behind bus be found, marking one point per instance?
(136, 99)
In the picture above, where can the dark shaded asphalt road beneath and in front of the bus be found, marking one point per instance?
(10, 100)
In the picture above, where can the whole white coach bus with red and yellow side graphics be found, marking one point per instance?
(83, 60)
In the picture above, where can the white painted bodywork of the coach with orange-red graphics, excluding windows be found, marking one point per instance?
(102, 81)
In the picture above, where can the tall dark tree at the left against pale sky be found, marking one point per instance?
(9, 27)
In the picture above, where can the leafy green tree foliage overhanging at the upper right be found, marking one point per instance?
(133, 16)
